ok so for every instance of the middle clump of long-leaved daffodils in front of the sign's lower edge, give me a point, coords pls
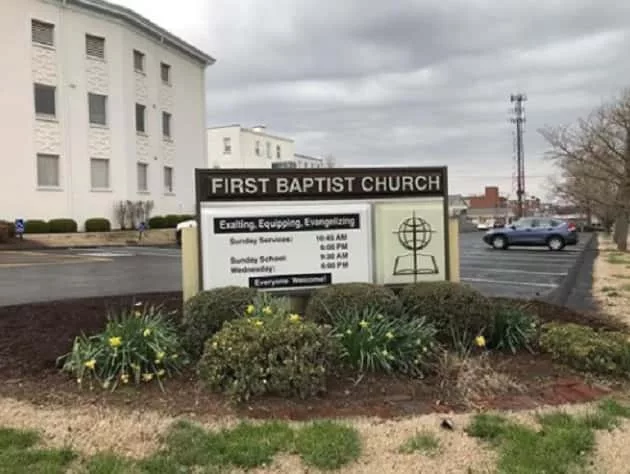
(375, 342)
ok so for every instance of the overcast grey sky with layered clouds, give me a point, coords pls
(411, 82)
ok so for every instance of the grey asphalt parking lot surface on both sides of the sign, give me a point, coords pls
(60, 274)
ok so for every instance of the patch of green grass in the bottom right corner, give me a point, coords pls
(561, 446)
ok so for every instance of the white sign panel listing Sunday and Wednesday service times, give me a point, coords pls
(286, 247)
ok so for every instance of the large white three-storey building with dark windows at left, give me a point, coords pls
(103, 106)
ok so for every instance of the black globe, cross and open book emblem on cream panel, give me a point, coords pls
(414, 234)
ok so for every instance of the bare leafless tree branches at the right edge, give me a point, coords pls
(594, 158)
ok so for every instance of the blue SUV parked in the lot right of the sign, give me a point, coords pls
(533, 232)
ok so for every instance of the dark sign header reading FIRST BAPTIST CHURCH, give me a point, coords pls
(319, 184)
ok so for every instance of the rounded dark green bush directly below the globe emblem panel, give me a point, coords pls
(459, 312)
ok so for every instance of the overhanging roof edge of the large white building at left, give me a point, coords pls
(147, 26)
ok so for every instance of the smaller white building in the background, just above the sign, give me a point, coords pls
(234, 146)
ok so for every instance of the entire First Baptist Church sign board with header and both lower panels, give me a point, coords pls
(298, 229)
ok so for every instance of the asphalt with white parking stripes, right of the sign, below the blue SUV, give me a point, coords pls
(517, 272)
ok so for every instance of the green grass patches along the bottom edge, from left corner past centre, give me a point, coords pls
(189, 448)
